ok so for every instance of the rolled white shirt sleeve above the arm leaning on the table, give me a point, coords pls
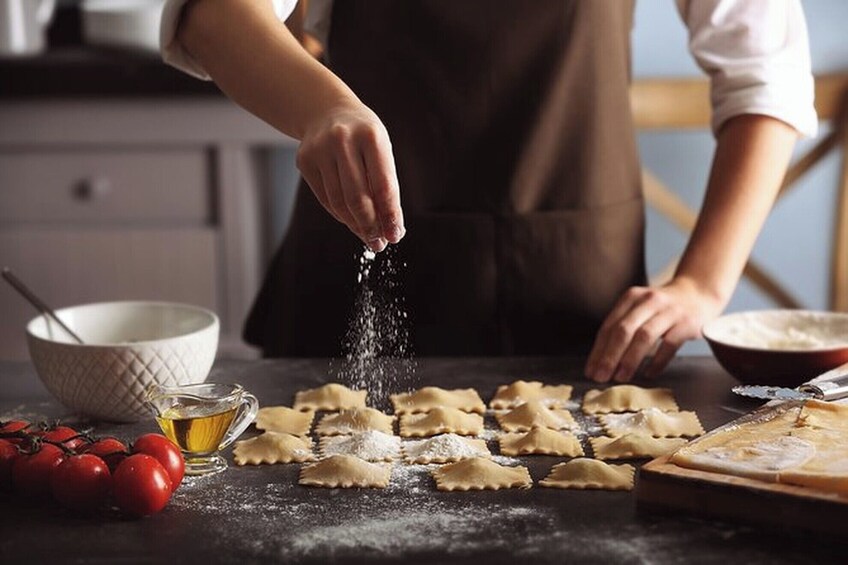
(757, 56)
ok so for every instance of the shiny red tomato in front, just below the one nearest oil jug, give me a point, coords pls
(141, 485)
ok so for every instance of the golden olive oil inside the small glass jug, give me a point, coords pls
(194, 429)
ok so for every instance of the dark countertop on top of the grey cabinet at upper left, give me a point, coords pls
(77, 71)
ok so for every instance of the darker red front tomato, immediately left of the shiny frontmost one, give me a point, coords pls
(81, 482)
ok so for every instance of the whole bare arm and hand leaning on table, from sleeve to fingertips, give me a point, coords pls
(750, 161)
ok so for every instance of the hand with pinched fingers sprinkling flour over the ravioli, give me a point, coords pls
(346, 158)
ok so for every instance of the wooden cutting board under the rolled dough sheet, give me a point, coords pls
(663, 486)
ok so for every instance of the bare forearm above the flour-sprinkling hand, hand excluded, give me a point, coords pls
(257, 62)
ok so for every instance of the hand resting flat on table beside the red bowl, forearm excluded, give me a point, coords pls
(647, 320)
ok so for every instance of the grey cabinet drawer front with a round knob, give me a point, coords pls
(105, 187)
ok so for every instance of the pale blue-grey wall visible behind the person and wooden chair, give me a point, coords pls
(794, 245)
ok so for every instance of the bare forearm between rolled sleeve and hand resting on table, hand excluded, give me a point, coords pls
(751, 157)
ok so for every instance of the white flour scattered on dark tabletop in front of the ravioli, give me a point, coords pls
(409, 518)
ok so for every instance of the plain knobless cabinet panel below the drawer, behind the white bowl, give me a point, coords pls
(67, 267)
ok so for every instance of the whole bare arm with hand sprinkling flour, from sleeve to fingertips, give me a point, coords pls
(345, 153)
